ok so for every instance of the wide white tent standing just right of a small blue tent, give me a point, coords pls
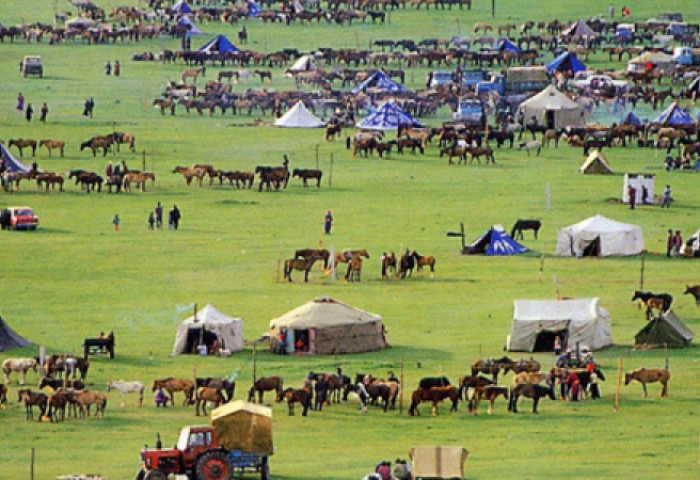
(611, 237)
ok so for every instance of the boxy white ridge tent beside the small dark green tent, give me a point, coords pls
(579, 321)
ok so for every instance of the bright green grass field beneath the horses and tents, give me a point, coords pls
(75, 276)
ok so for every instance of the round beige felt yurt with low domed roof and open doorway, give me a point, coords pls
(326, 326)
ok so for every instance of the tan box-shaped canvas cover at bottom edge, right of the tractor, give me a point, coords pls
(434, 461)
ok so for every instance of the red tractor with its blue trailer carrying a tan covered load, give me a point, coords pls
(212, 452)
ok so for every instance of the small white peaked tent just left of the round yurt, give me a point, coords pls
(207, 325)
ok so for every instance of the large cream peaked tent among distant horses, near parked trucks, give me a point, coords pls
(552, 108)
